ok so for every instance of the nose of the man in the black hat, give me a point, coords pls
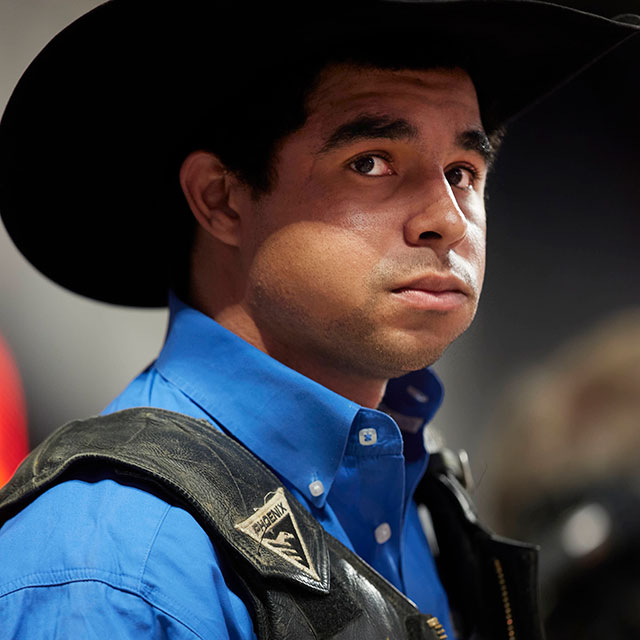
(438, 221)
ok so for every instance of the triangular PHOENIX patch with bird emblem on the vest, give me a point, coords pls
(274, 526)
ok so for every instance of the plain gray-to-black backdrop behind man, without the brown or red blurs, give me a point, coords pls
(564, 212)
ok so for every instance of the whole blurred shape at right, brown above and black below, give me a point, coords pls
(565, 474)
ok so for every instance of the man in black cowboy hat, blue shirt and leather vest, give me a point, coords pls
(334, 170)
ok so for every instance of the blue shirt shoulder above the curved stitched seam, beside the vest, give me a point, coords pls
(107, 533)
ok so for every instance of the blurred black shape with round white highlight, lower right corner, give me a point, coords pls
(591, 561)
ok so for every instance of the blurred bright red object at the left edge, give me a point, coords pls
(14, 444)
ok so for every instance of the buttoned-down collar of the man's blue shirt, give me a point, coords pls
(295, 425)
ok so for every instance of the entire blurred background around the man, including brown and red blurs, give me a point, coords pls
(525, 387)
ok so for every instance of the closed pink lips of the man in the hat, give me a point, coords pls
(434, 292)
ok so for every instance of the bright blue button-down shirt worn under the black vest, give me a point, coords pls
(98, 559)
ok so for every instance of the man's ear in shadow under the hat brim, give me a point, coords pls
(206, 183)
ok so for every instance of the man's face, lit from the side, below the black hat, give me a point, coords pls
(368, 253)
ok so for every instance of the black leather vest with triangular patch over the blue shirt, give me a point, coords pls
(298, 581)
